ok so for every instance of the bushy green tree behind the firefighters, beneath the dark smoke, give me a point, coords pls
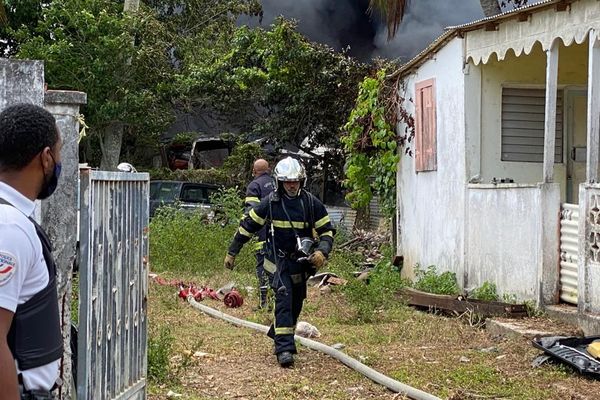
(275, 84)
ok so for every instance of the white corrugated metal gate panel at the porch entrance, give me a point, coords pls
(569, 248)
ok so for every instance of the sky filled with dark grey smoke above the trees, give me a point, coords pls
(342, 23)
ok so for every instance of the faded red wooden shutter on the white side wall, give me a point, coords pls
(425, 129)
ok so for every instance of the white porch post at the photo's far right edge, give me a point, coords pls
(593, 117)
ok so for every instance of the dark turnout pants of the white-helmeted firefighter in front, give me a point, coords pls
(288, 303)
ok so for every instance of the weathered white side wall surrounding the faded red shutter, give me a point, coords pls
(431, 204)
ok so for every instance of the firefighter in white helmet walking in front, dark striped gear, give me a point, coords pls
(299, 239)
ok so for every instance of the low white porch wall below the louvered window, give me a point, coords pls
(513, 239)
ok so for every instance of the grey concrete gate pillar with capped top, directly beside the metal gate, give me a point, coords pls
(59, 212)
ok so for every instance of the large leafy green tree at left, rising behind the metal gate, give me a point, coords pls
(125, 62)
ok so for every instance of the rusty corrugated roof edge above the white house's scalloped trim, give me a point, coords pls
(452, 31)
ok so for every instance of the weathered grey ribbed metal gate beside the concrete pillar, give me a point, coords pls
(113, 287)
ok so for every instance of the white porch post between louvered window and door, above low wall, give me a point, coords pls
(550, 119)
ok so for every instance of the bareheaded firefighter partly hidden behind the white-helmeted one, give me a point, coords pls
(258, 189)
